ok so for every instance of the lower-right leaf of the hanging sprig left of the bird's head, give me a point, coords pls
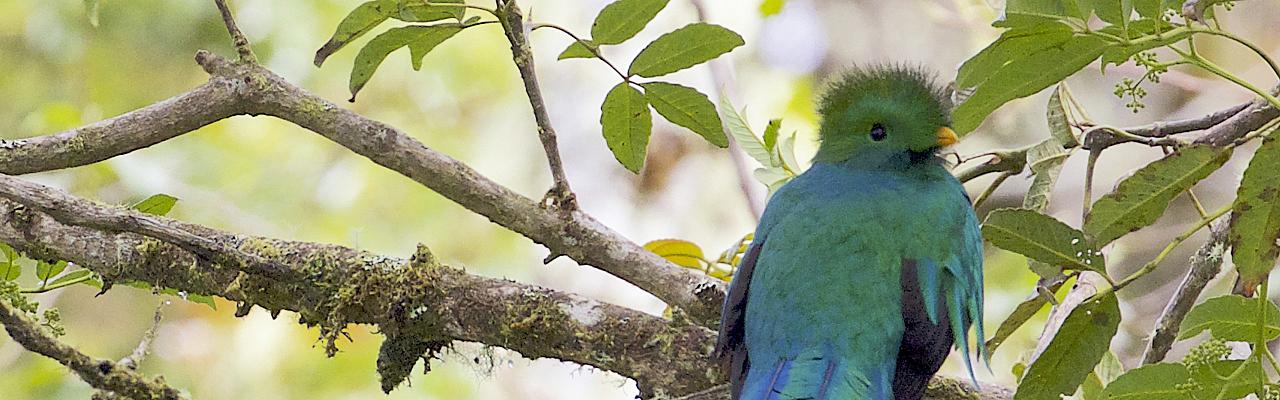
(688, 108)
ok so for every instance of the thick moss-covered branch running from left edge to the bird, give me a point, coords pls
(415, 301)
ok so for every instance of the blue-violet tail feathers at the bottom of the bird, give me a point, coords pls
(820, 378)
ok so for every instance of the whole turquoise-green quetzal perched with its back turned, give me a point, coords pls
(867, 267)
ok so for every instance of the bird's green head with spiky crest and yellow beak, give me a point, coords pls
(883, 112)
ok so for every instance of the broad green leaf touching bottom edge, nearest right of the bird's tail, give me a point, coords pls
(1078, 347)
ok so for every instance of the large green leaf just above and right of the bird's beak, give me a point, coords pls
(1021, 65)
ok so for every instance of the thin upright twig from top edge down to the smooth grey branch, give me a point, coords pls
(513, 24)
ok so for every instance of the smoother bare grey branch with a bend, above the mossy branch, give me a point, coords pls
(237, 89)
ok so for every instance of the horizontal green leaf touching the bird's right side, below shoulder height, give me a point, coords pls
(1044, 239)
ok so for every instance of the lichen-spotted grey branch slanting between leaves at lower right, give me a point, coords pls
(1205, 265)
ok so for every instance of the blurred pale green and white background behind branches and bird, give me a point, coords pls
(260, 176)
